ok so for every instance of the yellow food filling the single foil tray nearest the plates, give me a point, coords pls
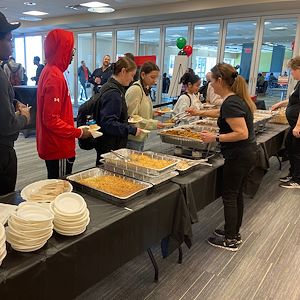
(112, 185)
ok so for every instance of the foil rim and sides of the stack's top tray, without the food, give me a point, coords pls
(111, 159)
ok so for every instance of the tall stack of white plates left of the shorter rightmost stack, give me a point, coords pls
(30, 227)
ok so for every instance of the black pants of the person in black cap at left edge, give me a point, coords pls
(8, 169)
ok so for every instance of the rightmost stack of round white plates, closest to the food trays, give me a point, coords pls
(71, 215)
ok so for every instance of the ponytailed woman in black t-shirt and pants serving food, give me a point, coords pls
(238, 146)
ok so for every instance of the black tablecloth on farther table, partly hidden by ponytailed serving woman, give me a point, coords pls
(203, 186)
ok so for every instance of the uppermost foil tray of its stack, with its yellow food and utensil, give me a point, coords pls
(129, 163)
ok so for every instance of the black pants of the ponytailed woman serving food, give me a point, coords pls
(235, 172)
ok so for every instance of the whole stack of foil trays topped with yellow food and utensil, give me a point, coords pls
(149, 167)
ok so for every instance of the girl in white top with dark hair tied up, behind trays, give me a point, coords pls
(188, 98)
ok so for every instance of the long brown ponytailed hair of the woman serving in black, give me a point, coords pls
(235, 82)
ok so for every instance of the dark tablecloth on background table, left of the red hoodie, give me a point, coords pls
(27, 95)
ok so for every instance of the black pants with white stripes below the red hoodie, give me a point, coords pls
(59, 168)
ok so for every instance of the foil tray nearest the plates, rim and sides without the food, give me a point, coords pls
(95, 172)
